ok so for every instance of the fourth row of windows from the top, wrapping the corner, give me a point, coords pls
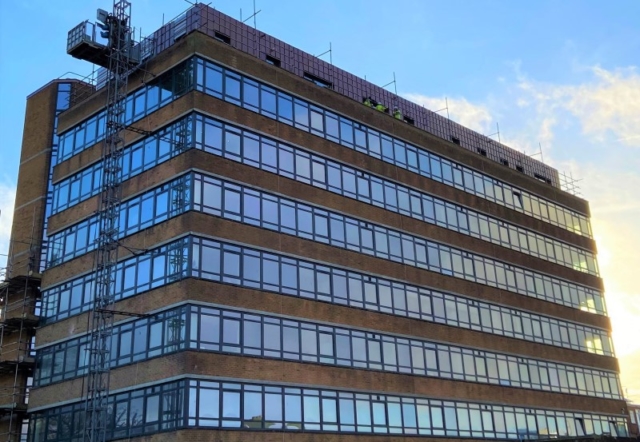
(242, 266)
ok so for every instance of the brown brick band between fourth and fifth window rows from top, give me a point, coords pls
(268, 302)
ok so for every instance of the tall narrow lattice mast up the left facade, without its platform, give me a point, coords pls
(106, 257)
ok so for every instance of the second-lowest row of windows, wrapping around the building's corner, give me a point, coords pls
(212, 329)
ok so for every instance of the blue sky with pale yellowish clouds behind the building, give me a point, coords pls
(561, 78)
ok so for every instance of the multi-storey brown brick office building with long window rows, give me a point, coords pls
(295, 261)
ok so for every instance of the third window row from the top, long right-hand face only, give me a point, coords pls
(297, 219)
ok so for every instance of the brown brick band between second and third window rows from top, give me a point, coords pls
(269, 182)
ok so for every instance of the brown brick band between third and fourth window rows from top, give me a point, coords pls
(306, 249)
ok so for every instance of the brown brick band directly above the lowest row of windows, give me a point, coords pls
(274, 371)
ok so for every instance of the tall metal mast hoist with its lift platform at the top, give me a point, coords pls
(114, 50)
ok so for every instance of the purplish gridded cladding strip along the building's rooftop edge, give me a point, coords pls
(255, 42)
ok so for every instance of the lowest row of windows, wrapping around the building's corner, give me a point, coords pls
(316, 410)
